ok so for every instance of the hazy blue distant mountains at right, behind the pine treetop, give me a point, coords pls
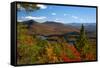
(90, 28)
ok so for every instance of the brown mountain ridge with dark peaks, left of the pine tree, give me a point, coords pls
(50, 27)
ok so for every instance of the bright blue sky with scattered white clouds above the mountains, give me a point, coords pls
(57, 13)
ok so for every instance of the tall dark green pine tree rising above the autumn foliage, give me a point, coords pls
(82, 43)
